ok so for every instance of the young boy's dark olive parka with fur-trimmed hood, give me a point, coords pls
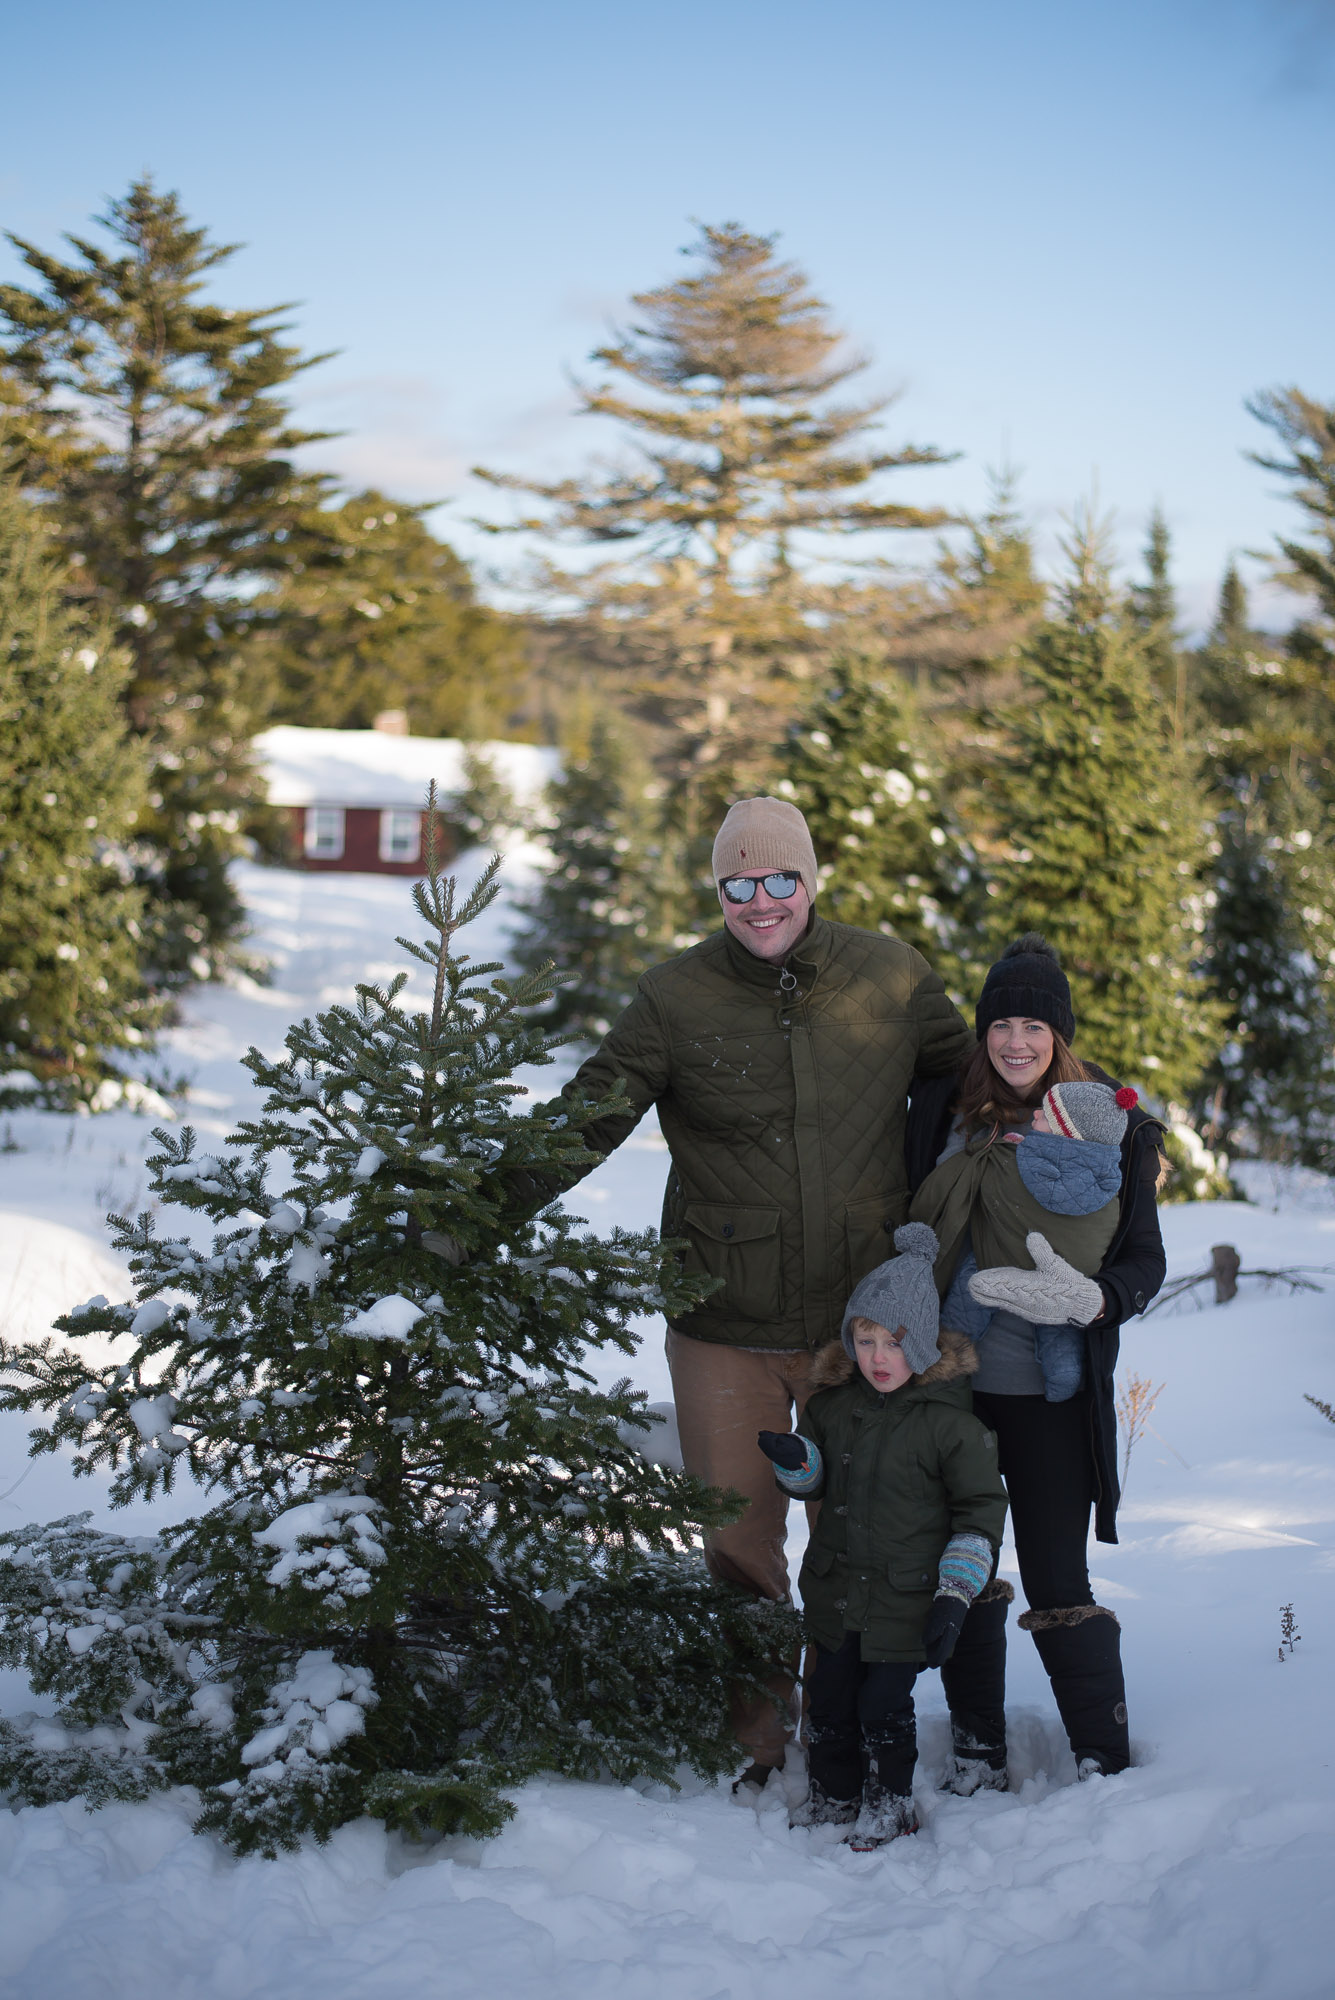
(904, 1471)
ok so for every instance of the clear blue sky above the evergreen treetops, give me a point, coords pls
(1070, 235)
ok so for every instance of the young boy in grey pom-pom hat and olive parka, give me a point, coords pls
(908, 1533)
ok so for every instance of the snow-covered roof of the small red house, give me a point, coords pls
(375, 769)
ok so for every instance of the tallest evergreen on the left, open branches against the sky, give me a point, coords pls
(153, 425)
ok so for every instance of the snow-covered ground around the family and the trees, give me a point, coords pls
(1204, 1871)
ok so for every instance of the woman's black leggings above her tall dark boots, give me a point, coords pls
(1046, 1457)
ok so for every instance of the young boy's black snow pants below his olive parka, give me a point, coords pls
(862, 1735)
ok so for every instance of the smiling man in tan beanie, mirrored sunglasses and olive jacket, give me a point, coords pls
(778, 1055)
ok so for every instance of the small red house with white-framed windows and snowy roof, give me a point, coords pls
(355, 797)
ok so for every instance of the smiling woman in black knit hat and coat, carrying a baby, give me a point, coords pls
(1058, 1459)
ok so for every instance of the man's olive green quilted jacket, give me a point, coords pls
(782, 1095)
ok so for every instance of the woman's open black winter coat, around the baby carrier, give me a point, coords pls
(1130, 1275)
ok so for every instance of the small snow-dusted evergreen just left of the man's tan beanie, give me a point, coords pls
(603, 911)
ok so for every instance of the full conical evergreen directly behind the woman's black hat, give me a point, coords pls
(1106, 835)
